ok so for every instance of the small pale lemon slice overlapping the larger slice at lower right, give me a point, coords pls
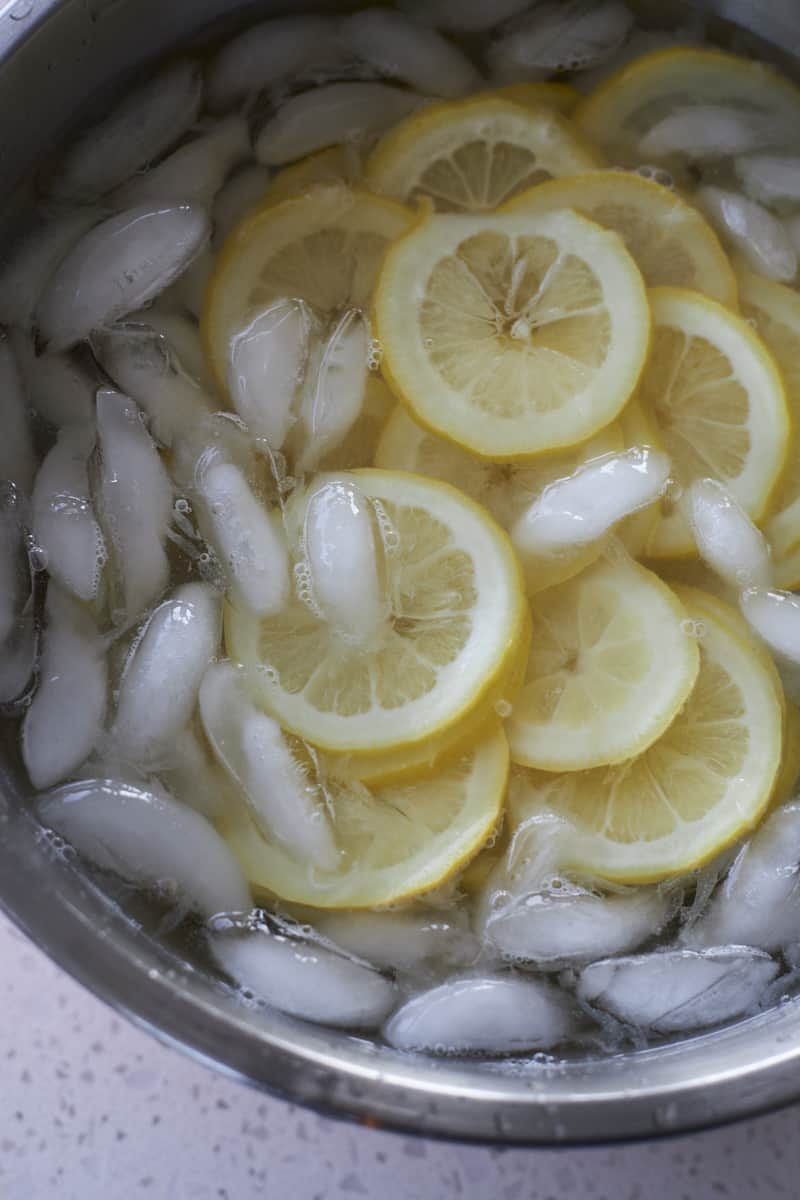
(609, 670)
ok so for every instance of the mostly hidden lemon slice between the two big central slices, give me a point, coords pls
(506, 489)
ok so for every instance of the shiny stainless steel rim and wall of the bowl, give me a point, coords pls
(58, 58)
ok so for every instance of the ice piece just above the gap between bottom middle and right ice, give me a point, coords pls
(562, 923)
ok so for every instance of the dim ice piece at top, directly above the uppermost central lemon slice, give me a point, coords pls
(404, 50)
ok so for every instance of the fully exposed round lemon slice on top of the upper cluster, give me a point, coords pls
(512, 334)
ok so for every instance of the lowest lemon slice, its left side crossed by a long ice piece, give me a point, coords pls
(395, 842)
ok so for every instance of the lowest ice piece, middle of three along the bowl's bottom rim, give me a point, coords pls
(490, 1016)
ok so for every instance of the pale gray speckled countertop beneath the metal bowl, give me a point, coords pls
(92, 1108)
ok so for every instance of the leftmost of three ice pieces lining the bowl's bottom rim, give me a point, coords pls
(305, 980)
